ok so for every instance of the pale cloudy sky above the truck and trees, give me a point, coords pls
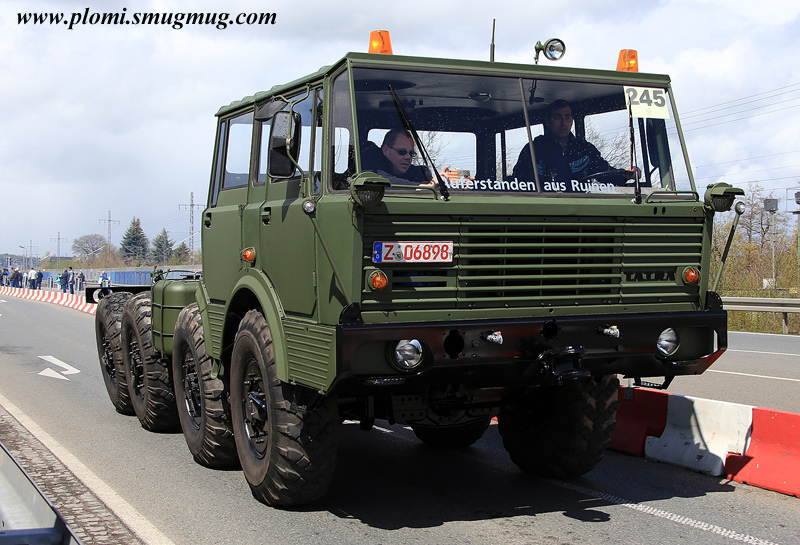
(118, 120)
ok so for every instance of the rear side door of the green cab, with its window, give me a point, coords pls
(222, 219)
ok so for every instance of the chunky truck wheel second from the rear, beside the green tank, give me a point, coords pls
(146, 371)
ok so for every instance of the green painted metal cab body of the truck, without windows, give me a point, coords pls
(522, 260)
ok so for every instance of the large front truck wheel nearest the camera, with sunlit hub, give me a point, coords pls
(285, 440)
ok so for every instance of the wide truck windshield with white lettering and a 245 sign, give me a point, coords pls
(481, 133)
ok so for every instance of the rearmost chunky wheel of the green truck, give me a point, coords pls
(108, 332)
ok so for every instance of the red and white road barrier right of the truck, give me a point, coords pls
(752, 445)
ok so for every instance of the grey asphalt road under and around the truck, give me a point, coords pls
(388, 488)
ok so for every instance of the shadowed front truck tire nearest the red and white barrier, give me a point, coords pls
(561, 432)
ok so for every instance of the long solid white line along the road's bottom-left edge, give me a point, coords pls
(142, 527)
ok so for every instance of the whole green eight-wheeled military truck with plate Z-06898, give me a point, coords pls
(335, 290)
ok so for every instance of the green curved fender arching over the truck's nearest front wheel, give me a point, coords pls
(253, 289)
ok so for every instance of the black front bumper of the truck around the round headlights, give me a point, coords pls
(608, 344)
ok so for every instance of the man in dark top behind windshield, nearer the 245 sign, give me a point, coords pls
(561, 156)
